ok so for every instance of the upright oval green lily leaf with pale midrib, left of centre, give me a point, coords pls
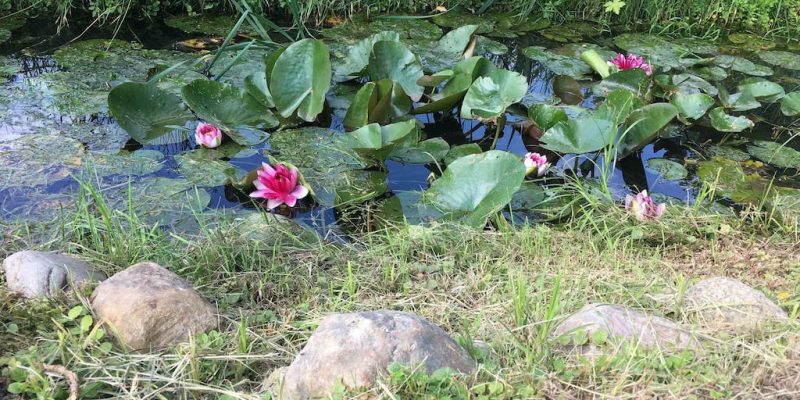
(300, 79)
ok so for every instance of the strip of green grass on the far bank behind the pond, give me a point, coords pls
(778, 17)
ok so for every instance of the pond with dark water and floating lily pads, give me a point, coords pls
(736, 126)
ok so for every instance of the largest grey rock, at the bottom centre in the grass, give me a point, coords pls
(357, 348)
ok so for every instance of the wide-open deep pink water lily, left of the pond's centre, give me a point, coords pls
(278, 185)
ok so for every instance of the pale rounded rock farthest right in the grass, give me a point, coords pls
(728, 305)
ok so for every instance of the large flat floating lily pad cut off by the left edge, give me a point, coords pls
(33, 160)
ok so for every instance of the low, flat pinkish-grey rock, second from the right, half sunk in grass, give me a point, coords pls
(621, 324)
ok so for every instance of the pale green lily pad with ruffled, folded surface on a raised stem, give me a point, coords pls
(489, 96)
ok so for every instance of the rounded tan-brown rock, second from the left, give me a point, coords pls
(148, 306)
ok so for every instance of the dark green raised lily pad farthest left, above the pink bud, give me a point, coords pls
(145, 111)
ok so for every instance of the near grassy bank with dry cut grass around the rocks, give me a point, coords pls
(498, 292)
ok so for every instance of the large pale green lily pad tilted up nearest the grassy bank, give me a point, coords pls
(475, 187)
